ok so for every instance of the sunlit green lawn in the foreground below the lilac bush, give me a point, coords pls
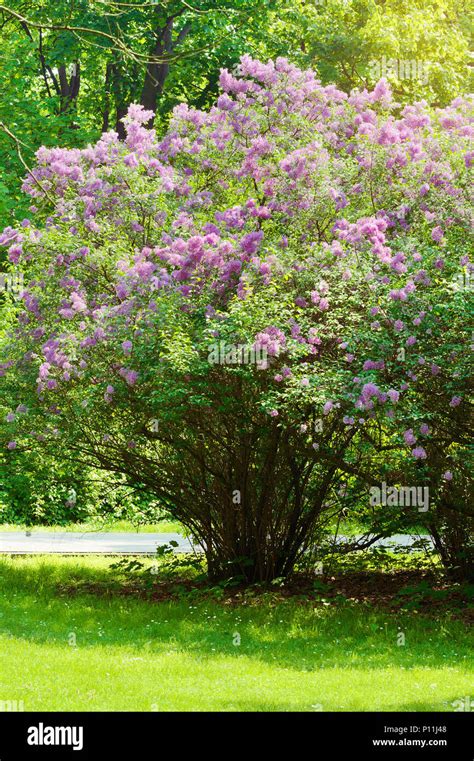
(139, 654)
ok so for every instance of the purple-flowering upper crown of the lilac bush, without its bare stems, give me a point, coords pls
(338, 205)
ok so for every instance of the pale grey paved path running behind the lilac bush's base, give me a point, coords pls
(70, 543)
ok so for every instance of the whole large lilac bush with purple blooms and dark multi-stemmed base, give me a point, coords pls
(266, 303)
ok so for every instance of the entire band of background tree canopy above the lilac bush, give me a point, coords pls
(69, 70)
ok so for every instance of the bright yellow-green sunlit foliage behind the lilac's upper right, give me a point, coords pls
(422, 47)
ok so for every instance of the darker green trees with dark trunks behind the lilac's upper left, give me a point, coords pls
(70, 70)
